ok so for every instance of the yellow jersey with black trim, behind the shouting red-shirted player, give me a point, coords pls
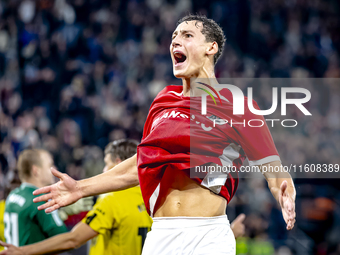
(122, 222)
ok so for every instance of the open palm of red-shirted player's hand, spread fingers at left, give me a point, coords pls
(62, 193)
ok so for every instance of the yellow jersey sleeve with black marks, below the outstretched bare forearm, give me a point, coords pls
(101, 217)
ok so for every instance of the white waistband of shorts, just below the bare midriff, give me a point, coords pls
(188, 222)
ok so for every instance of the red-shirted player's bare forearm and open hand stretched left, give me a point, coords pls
(68, 191)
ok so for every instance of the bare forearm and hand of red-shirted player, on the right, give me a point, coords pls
(282, 187)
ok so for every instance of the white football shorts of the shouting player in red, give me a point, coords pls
(190, 236)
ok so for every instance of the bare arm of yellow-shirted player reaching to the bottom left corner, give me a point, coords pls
(80, 234)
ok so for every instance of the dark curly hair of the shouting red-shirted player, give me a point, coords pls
(211, 30)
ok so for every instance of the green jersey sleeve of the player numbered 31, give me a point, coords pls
(50, 223)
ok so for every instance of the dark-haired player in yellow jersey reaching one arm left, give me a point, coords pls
(119, 219)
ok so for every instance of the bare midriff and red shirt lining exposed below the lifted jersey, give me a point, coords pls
(181, 196)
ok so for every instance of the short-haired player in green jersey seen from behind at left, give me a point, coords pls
(24, 223)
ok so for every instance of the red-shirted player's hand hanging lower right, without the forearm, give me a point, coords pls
(287, 204)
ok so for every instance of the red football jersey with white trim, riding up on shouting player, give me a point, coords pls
(177, 136)
